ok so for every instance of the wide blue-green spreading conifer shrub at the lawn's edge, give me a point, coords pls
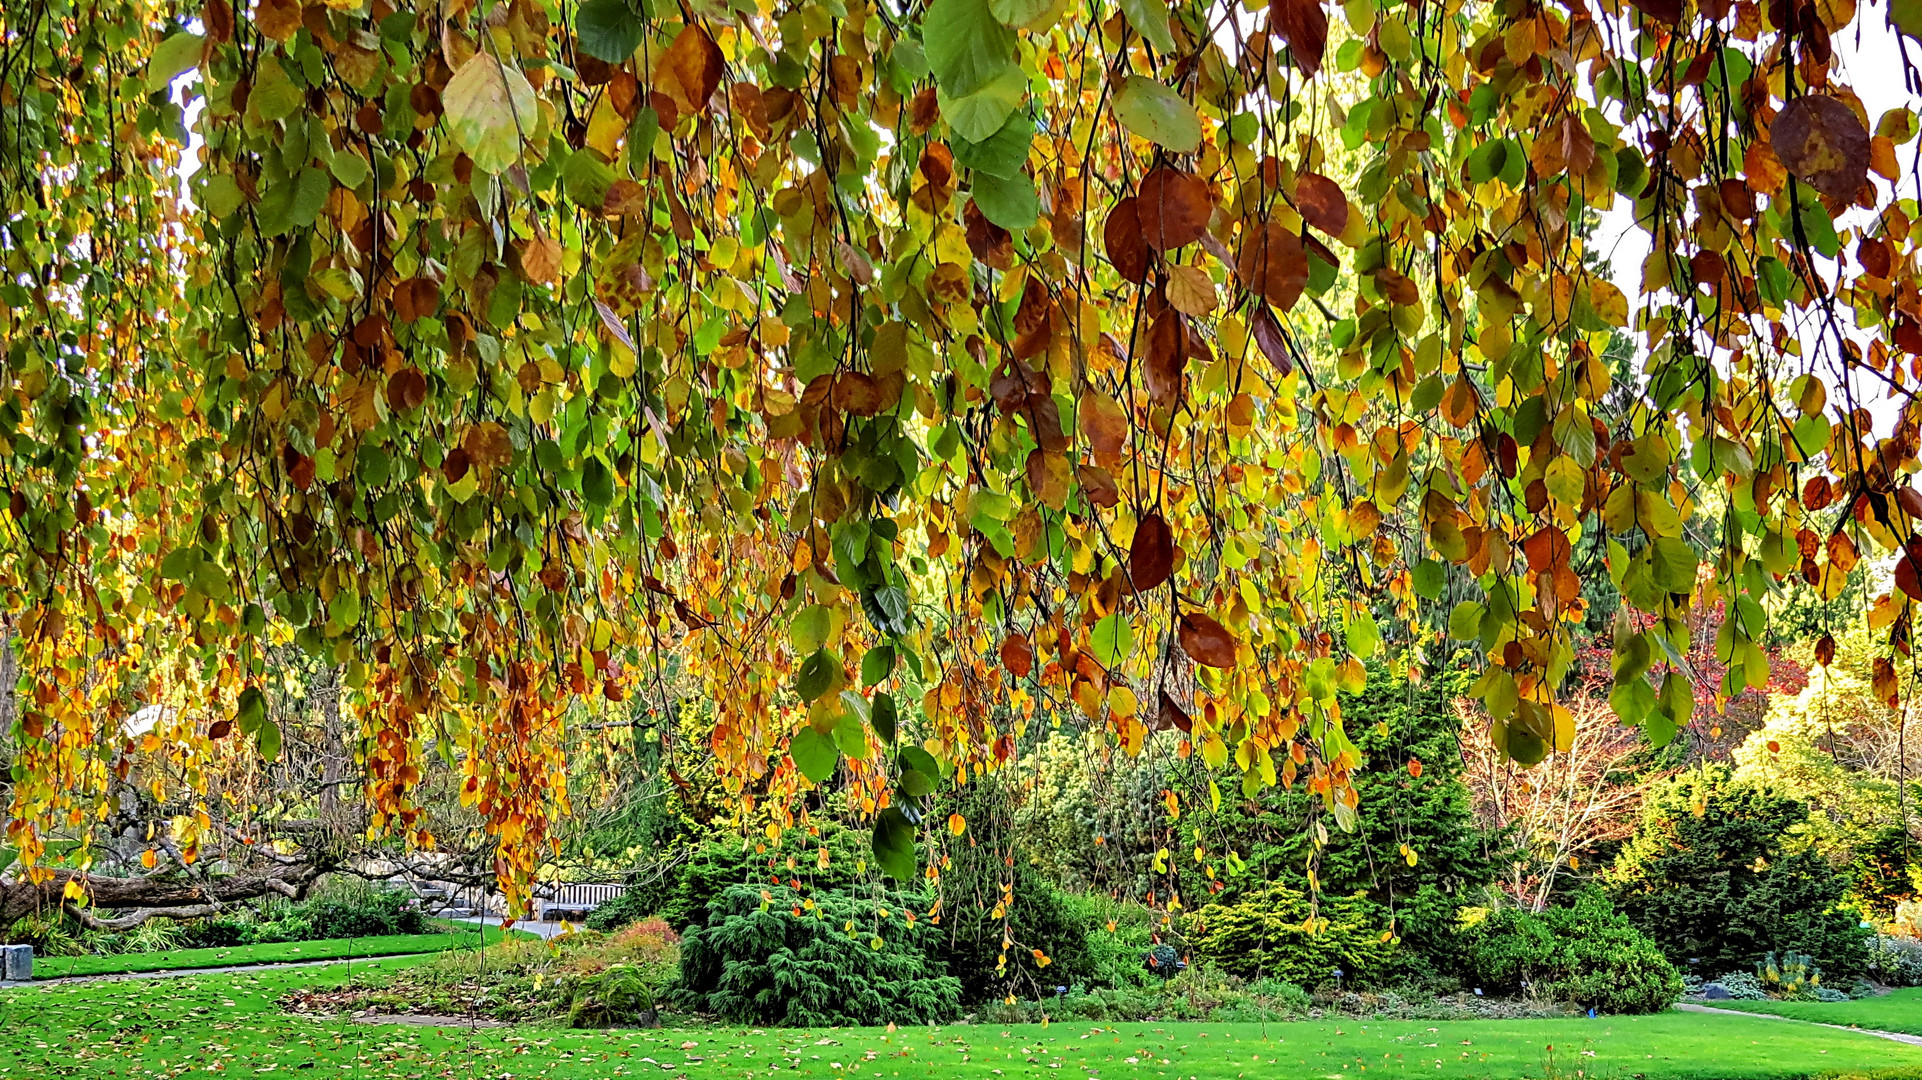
(768, 960)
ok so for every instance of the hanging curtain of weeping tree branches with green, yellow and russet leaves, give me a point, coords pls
(904, 374)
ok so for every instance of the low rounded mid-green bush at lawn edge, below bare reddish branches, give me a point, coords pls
(1585, 954)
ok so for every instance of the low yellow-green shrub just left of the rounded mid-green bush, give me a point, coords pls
(1268, 935)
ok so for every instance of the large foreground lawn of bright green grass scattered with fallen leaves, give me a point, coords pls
(226, 1025)
